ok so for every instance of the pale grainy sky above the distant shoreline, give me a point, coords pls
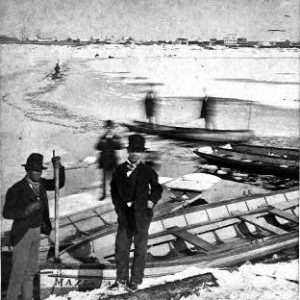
(151, 19)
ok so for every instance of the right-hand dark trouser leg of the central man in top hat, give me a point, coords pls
(140, 252)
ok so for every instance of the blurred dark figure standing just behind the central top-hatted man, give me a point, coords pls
(107, 160)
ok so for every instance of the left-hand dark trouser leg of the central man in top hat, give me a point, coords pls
(123, 243)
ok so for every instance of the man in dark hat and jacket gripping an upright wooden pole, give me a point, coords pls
(27, 205)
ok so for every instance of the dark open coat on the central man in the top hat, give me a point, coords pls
(147, 188)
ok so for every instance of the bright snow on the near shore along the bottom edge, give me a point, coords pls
(278, 281)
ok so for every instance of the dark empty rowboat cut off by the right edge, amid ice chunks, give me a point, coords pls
(250, 162)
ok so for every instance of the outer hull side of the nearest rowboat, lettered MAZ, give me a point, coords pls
(61, 281)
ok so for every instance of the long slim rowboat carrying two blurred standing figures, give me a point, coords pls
(191, 133)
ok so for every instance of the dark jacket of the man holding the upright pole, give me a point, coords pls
(19, 196)
